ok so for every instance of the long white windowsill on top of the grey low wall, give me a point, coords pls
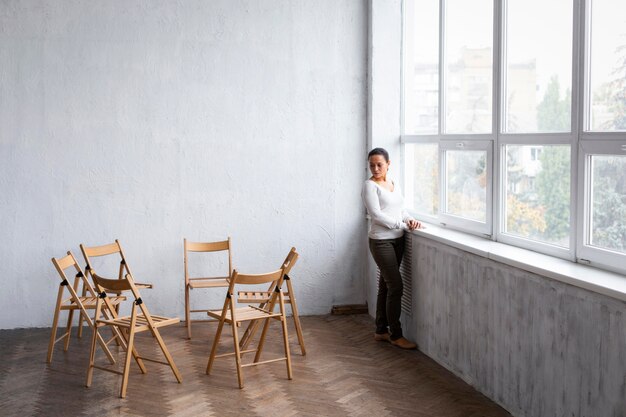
(592, 279)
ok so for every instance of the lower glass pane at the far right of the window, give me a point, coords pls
(608, 202)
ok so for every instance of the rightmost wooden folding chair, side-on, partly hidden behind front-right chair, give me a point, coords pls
(263, 298)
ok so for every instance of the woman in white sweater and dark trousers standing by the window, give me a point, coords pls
(385, 205)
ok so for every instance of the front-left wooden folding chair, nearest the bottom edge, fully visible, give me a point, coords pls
(130, 326)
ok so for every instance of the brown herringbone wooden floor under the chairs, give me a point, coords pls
(345, 373)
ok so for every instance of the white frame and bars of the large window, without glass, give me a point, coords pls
(582, 141)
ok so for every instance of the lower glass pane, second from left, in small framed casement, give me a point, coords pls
(466, 184)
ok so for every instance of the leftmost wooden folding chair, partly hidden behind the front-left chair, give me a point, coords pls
(84, 302)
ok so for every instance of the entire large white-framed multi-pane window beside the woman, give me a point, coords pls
(523, 81)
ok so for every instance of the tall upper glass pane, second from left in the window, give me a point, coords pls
(469, 57)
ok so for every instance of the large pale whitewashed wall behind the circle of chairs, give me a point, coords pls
(150, 121)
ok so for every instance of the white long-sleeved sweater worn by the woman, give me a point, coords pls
(386, 209)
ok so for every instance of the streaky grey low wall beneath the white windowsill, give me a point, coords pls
(536, 346)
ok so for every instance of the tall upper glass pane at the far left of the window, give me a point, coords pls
(421, 67)
